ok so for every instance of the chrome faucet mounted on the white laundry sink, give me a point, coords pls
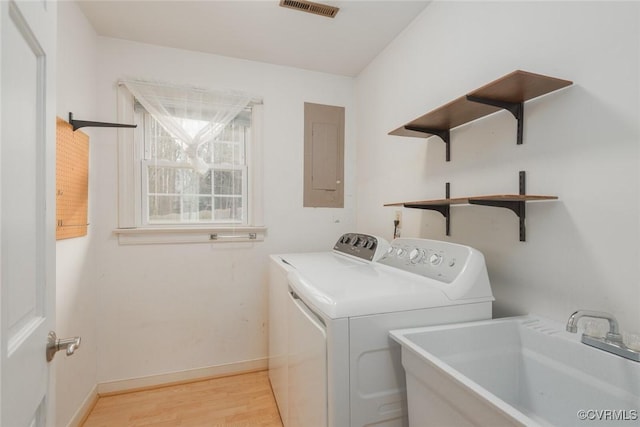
(612, 342)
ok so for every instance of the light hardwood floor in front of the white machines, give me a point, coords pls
(242, 400)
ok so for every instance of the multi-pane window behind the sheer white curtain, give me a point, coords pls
(173, 192)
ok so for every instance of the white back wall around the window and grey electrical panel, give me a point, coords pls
(168, 308)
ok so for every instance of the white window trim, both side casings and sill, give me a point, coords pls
(132, 229)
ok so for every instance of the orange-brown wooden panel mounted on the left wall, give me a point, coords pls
(72, 181)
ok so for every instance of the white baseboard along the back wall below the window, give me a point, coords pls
(120, 386)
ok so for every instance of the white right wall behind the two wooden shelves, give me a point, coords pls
(581, 144)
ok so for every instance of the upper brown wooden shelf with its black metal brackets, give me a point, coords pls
(508, 92)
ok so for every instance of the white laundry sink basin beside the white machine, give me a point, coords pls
(514, 372)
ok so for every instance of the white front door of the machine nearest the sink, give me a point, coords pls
(307, 374)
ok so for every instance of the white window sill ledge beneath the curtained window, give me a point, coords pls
(189, 234)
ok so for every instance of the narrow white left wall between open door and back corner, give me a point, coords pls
(76, 285)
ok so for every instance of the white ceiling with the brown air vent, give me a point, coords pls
(260, 30)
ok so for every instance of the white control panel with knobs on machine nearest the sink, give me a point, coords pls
(442, 261)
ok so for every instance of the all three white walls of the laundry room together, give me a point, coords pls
(168, 308)
